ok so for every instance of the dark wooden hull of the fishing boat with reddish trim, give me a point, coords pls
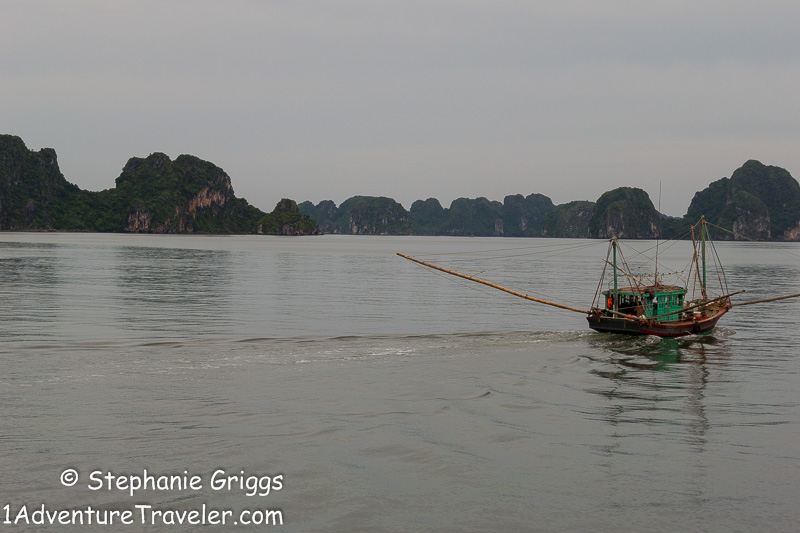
(673, 328)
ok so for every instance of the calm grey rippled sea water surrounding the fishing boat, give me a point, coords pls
(370, 394)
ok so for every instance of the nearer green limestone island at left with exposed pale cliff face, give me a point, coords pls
(152, 195)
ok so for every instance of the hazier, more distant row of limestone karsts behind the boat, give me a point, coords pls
(757, 202)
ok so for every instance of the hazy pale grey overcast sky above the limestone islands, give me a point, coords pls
(411, 99)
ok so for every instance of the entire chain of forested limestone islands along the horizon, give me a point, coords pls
(189, 195)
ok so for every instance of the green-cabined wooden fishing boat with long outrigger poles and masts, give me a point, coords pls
(631, 304)
